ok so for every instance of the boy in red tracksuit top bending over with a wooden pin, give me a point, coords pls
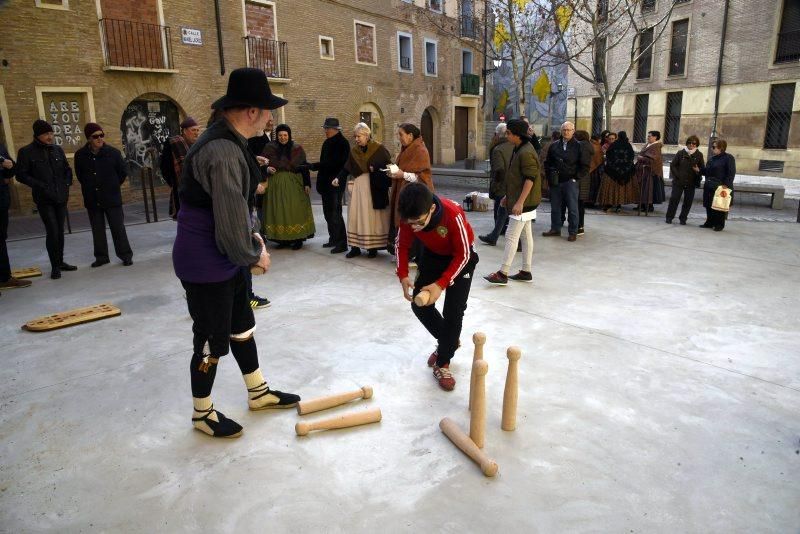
(447, 263)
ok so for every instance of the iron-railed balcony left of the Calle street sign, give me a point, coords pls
(131, 45)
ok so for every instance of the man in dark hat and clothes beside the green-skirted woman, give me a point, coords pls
(334, 154)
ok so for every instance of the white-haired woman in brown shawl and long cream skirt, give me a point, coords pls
(368, 212)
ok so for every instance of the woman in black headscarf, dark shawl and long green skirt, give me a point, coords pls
(288, 219)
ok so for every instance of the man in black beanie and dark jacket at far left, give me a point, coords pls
(43, 167)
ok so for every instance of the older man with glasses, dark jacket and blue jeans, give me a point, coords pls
(566, 163)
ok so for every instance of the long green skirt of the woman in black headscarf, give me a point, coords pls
(287, 208)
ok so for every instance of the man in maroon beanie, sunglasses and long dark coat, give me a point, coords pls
(101, 170)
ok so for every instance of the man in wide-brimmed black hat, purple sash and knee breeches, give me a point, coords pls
(216, 237)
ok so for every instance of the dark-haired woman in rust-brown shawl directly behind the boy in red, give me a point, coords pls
(414, 165)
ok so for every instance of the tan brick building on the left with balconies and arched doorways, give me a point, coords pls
(139, 66)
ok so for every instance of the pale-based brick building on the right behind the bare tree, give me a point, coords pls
(676, 89)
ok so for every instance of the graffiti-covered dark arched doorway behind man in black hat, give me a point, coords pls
(146, 124)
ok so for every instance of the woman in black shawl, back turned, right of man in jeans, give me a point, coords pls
(617, 186)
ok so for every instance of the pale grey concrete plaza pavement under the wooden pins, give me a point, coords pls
(659, 392)
